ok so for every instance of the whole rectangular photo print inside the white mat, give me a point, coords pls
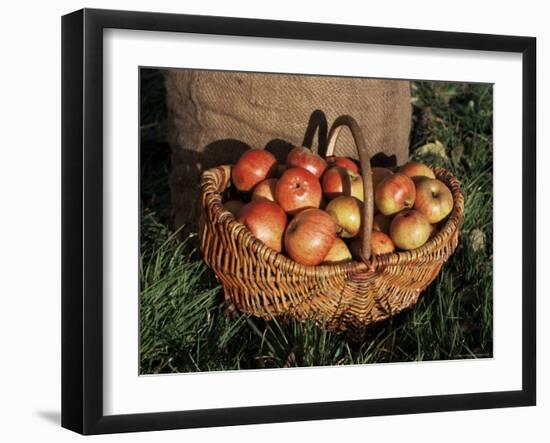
(291, 220)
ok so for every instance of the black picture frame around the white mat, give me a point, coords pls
(82, 217)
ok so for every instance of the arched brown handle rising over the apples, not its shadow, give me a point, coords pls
(366, 171)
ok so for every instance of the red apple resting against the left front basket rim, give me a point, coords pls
(266, 221)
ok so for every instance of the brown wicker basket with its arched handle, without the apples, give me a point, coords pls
(261, 282)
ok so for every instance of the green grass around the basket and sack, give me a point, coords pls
(182, 321)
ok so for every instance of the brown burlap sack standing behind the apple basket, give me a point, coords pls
(215, 116)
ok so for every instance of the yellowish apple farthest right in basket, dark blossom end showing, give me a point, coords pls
(433, 199)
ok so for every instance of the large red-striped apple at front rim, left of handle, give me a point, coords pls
(309, 236)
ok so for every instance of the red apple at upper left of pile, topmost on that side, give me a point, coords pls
(254, 166)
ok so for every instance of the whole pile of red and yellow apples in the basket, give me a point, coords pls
(310, 208)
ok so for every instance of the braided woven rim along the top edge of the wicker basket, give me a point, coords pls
(443, 236)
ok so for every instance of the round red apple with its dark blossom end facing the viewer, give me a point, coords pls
(298, 189)
